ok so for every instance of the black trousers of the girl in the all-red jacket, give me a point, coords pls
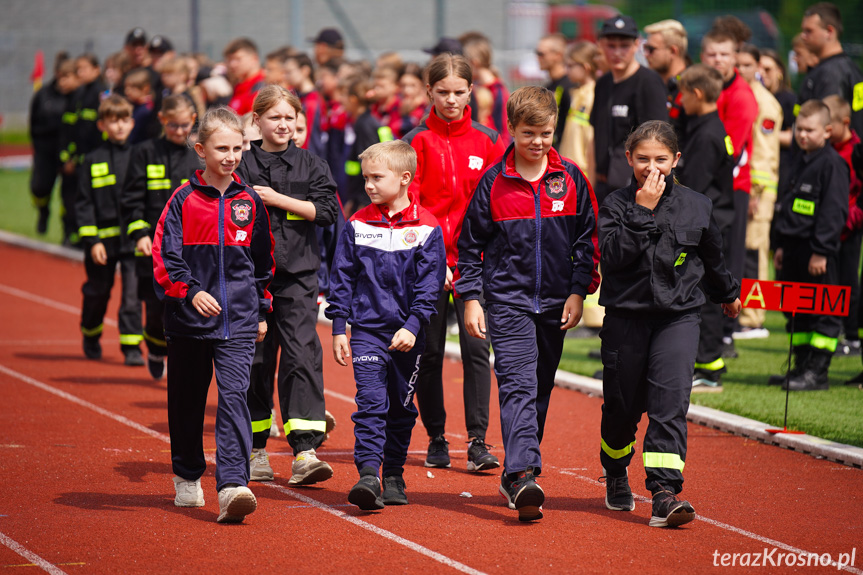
(477, 374)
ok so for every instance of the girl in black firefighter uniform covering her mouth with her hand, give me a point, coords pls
(657, 240)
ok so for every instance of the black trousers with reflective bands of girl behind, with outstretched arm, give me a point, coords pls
(291, 327)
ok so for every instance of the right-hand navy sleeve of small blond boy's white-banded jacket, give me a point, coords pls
(431, 274)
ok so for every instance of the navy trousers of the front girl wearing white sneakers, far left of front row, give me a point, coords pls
(190, 369)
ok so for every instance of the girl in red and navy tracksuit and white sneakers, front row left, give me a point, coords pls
(213, 261)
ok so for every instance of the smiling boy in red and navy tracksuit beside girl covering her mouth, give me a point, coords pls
(528, 243)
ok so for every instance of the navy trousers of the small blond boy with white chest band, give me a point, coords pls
(386, 414)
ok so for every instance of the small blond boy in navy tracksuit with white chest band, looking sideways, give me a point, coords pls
(389, 270)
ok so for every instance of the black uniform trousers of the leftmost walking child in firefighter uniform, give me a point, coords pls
(97, 293)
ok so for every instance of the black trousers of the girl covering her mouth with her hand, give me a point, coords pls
(647, 367)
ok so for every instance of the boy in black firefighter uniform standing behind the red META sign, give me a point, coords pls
(807, 227)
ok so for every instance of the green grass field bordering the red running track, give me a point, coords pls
(834, 414)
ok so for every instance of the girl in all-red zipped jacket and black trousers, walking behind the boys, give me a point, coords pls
(452, 154)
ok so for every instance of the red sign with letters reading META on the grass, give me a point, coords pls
(795, 297)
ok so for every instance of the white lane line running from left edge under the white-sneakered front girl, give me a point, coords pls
(389, 535)
